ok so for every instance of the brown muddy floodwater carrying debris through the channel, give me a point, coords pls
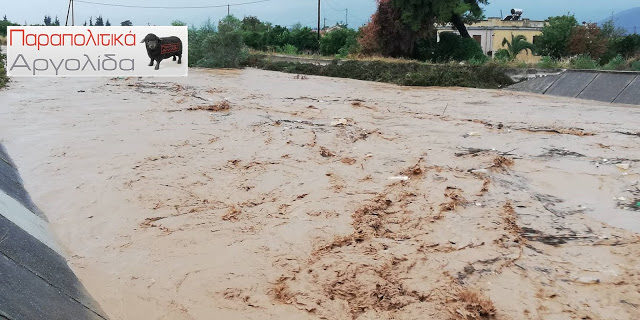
(248, 194)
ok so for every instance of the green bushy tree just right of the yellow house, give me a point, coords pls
(555, 36)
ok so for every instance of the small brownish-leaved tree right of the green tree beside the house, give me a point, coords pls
(587, 39)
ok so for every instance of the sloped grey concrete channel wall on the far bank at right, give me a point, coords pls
(607, 86)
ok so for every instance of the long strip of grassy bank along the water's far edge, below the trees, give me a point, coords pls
(490, 76)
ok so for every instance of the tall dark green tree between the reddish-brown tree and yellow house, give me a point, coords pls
(421, 14)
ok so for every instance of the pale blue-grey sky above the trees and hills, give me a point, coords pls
(284, 12)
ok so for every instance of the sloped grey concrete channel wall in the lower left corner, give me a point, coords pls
(35, 280)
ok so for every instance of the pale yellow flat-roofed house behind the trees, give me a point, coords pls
(490, 33)
